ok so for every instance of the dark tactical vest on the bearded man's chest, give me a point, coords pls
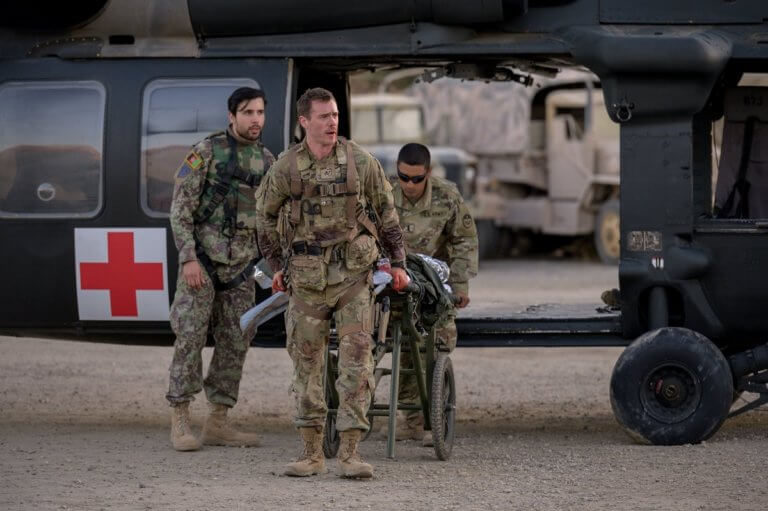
(228, 197)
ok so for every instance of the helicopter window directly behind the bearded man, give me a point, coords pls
(177, 113)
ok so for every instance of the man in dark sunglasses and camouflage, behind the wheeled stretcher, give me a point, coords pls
(436, 222)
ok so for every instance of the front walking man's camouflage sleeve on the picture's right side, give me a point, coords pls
(378, 191)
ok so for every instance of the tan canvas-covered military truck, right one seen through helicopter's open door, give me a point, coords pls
(547, 158)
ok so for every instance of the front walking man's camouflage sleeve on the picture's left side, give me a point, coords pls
(273, 194)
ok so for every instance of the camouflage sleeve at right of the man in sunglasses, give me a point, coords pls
(462, 247)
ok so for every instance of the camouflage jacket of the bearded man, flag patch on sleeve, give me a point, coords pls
(230, 245)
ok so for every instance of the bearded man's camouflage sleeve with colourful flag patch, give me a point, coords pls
(186, 199)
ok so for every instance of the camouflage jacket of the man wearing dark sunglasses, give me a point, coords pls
(440, 225)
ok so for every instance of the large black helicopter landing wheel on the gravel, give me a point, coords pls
(671, 386)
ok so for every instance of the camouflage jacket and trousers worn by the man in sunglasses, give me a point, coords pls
(440, 225)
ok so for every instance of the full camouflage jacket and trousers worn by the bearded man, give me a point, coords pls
(230, 249)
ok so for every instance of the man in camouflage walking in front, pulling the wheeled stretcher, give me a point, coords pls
(329, 190)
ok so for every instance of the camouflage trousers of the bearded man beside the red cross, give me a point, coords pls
(192, 311)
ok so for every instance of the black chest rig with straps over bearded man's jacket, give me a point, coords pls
(222, 186)
